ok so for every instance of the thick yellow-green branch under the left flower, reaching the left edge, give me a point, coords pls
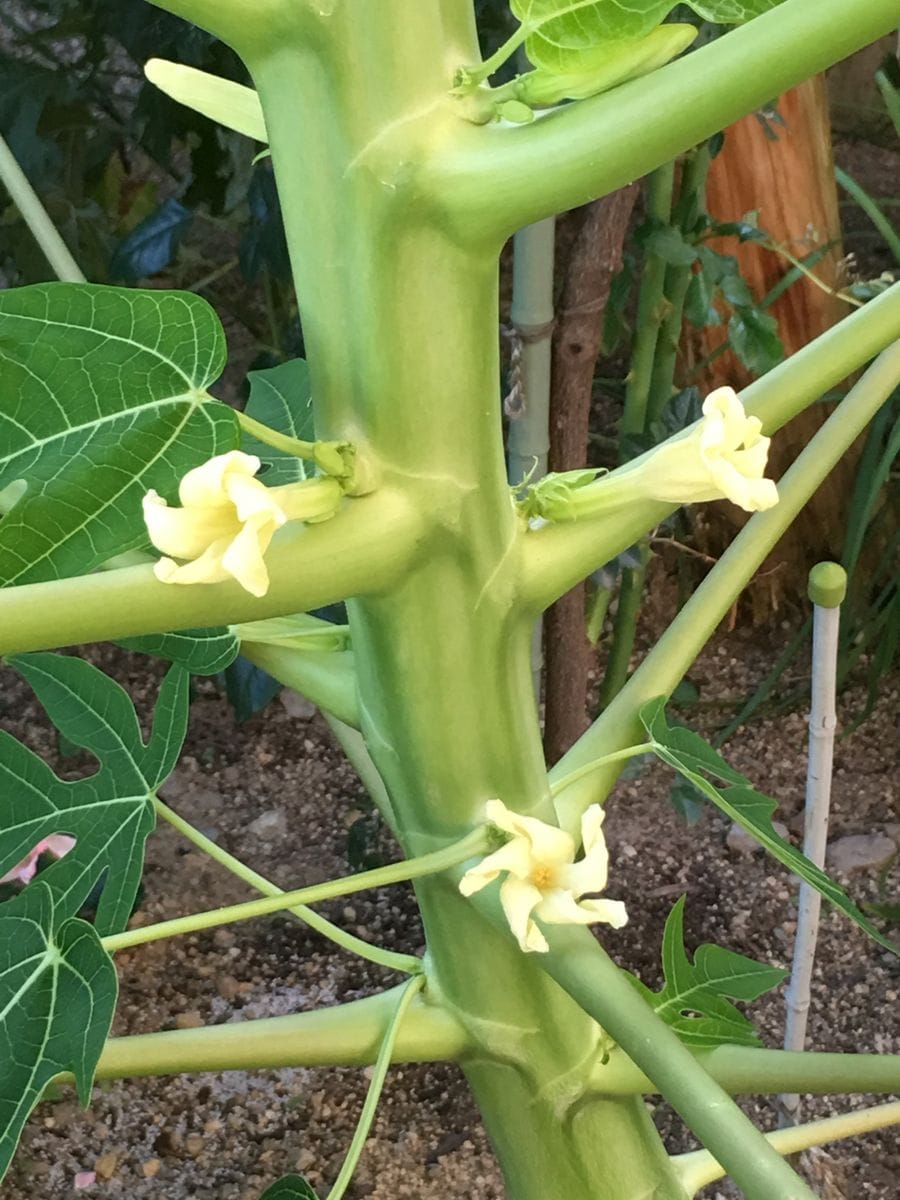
(365, 548)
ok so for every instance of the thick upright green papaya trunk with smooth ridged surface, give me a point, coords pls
(400, 323)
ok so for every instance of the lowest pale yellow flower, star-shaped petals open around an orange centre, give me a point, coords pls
(543, 879)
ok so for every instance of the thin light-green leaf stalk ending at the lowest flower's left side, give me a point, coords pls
(476, 843)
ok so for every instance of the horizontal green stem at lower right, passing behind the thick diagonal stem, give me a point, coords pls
(746, 1071)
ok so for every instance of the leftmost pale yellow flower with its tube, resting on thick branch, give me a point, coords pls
(227, 521)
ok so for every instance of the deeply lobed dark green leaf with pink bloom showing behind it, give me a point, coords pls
(111, 813)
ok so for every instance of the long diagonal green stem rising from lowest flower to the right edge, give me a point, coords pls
(682, 643)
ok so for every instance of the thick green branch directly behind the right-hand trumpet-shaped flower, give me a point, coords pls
(559, 556)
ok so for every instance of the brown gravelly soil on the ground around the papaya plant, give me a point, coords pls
(229, 1136)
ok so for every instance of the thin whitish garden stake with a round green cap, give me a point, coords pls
(827, 589)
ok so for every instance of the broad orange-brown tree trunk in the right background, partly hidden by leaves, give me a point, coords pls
(791, 183)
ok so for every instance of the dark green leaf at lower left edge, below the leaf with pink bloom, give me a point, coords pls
(58, 993)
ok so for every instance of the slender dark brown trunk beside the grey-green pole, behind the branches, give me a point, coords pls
(595, 260)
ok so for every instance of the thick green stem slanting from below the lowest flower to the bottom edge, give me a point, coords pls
(584, 969)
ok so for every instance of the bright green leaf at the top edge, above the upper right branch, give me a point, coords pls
(559, 33)
